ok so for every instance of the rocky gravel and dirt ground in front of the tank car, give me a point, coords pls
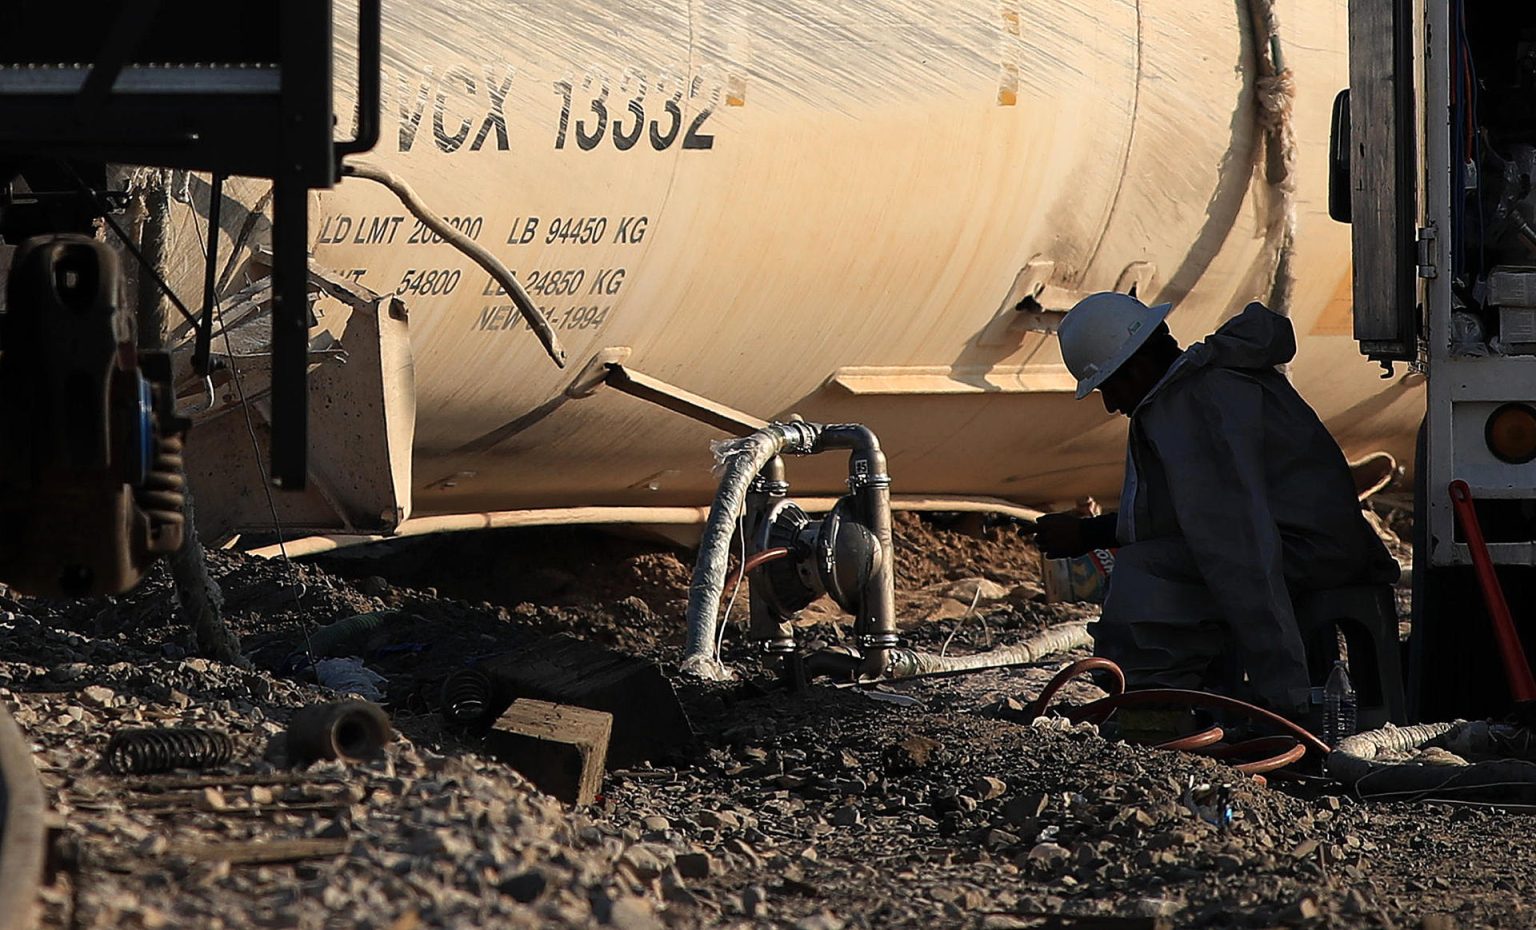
(927, 805)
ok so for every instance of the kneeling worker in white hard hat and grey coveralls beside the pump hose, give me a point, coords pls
(1236, 502)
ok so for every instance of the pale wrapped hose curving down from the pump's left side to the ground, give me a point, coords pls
(740, 460)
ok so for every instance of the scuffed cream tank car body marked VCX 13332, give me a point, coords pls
(830, 210)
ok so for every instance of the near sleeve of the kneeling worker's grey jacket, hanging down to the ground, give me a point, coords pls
(1210, 436)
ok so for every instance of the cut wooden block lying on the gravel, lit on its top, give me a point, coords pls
(560, 748)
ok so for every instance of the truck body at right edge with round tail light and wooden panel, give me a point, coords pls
(1435, 167)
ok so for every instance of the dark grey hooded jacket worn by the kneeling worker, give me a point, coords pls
(1230, 459)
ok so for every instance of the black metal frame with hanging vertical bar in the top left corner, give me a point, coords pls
(171, 85)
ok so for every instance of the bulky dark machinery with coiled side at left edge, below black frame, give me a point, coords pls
(91, 483)
